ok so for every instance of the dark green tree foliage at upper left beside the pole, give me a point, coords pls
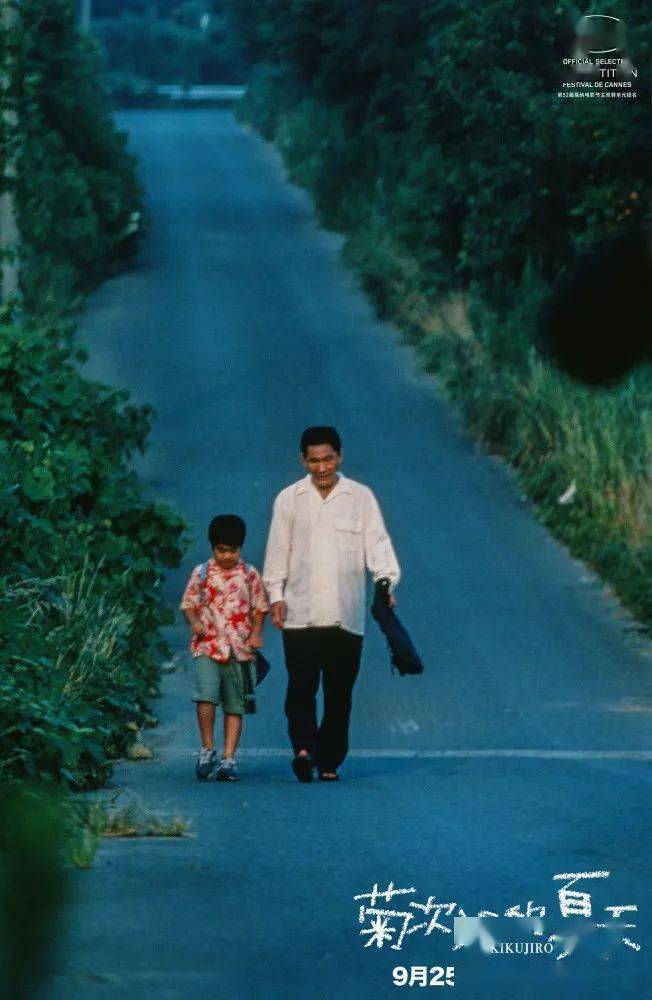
(79, 197)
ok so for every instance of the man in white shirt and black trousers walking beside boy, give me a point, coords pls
(326, 529)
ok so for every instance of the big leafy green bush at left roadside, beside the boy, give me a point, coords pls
(86, 550)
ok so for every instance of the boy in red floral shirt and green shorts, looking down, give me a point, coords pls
(225, 605)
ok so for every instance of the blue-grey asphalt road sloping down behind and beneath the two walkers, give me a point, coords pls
(524, 751)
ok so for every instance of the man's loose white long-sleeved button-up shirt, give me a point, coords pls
(318, 550)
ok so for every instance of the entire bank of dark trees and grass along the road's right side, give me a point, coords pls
(433, 135)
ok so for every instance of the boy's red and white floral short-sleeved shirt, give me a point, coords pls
(229, 598)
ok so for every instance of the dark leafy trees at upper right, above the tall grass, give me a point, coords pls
(439, 109)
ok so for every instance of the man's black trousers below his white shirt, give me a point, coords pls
(333, 654)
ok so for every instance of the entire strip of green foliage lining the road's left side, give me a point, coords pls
(82, 549)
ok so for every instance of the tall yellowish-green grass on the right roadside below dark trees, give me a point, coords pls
(584, 456)
